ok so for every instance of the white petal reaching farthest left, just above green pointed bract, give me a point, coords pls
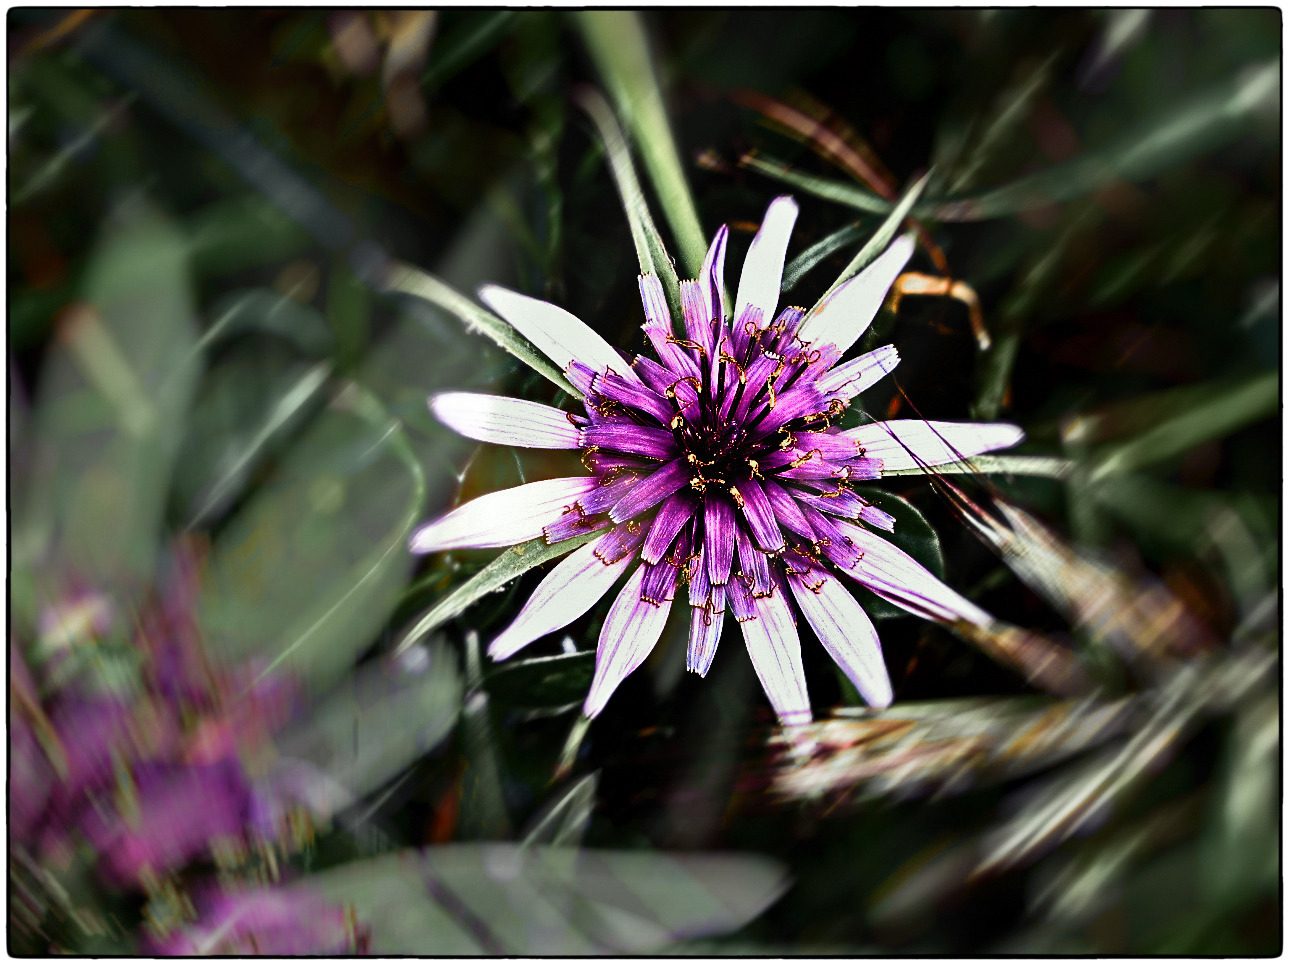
(502, 519)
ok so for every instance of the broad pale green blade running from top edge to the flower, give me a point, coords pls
(619, 46)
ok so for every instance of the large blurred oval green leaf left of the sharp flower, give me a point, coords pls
(311, 569)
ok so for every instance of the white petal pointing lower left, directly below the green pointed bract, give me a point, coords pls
(569, 591)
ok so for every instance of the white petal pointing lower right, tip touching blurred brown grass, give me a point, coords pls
(896, 577)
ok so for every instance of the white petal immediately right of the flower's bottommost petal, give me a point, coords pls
(848, 635)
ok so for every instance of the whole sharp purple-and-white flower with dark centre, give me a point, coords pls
(719, 468)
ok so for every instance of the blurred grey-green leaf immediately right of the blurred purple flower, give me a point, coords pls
(369, 730)
